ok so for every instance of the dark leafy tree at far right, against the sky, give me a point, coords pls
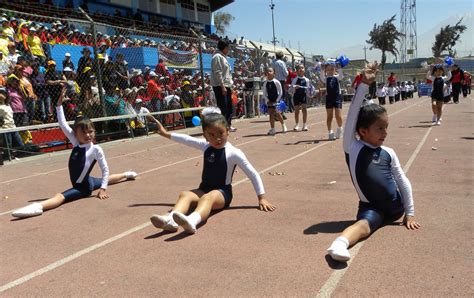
(446, 39)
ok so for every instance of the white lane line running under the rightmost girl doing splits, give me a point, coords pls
(331, 283)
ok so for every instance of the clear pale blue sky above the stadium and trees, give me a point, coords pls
(330, 26)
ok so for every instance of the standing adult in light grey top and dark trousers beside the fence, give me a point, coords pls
(221, 81)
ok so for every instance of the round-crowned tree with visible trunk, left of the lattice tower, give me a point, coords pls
(384, 37)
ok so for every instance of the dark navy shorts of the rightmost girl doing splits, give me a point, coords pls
(378, 217)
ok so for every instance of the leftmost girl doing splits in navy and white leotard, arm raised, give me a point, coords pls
(83, 157)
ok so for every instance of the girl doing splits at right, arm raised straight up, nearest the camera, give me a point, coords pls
(384, 190)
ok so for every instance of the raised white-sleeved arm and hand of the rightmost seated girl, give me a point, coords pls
(368, 76)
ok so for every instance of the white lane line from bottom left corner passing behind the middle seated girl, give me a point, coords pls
(89, 249)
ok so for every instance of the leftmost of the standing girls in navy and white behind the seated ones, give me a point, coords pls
(272, 93)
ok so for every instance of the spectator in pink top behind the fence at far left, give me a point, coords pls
(15, 94)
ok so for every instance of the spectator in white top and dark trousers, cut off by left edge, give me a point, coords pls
(13, 139)
